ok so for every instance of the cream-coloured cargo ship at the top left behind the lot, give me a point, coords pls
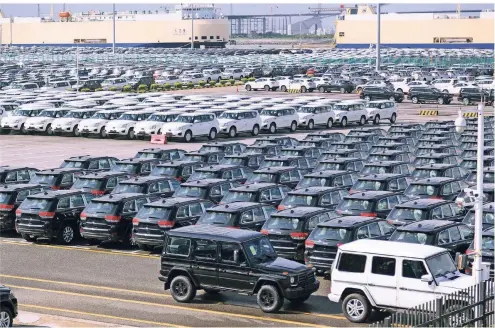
(167, 28)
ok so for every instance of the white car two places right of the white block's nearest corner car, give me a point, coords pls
(276, 118)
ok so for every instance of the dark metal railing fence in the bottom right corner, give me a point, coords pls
(467, 307)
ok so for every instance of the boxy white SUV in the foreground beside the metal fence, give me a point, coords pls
(382, 275)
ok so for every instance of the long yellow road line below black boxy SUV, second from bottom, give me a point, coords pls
(176, 307)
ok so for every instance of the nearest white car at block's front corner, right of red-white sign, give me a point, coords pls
(190, 125)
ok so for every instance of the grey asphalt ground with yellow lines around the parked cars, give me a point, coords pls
(112, 284)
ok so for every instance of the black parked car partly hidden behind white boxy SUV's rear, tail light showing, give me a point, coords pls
(323, 242)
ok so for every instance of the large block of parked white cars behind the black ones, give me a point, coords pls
(110, 115)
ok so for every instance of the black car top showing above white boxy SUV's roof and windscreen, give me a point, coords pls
(454, 236)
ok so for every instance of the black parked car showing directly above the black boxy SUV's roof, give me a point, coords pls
(242, 215)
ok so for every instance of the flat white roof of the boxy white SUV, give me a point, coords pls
(382, 247)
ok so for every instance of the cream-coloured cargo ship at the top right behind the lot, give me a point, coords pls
(356, 28)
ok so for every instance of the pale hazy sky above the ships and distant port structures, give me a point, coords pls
(32, 9)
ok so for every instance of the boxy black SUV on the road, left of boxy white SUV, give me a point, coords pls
(223, 259)
